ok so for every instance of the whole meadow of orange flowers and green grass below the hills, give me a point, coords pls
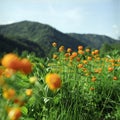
(71, 85)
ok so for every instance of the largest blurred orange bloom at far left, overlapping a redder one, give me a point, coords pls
(11, 61)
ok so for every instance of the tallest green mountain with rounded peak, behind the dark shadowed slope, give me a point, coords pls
(42, 34)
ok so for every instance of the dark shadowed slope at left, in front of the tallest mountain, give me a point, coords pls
(8, 45)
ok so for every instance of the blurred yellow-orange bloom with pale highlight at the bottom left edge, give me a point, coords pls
(14, 113)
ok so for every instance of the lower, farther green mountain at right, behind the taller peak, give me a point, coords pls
(93, 40)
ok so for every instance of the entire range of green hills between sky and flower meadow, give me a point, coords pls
(34, 36)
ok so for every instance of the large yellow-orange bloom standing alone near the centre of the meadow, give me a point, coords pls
(53, 81)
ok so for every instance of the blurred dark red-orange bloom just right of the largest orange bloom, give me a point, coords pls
(25, 66)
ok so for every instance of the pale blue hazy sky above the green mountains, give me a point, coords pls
(69, 16)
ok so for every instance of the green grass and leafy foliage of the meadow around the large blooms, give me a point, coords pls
(79, 98)
